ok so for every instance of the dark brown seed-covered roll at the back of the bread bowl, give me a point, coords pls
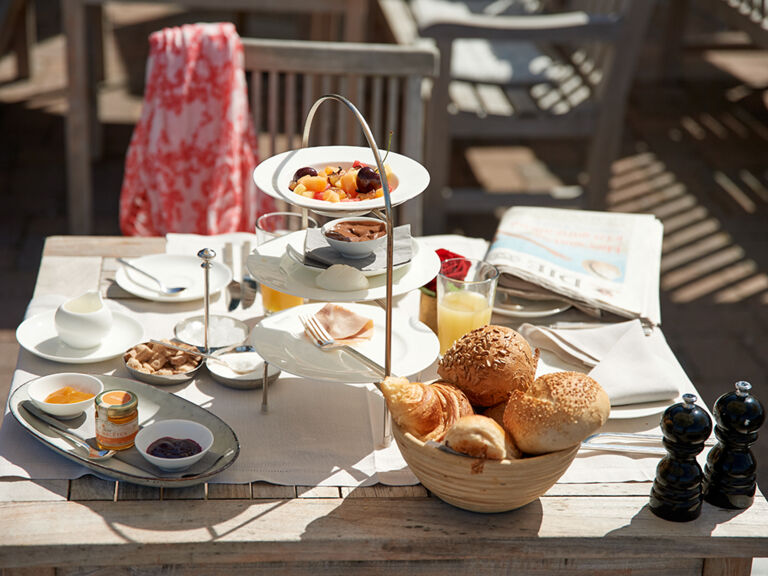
(488, 364)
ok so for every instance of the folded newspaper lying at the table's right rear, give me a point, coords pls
(598, 261)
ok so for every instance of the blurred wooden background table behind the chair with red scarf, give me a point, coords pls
(81, 21)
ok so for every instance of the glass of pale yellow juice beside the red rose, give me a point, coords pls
(466, 288)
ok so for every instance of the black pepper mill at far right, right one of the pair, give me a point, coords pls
(731, 470)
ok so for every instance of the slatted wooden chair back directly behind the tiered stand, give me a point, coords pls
(385, 82)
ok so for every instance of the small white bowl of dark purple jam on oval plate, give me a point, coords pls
(174, 444)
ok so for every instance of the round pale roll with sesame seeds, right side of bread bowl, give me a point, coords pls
(558, 411)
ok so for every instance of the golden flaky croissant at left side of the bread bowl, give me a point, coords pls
(425, 410)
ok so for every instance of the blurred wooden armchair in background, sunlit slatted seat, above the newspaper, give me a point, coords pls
(537, 70)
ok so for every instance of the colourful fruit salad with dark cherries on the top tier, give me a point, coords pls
(337, 184)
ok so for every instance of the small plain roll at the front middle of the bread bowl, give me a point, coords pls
(478, 436)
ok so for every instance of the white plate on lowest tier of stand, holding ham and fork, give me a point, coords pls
(280, 340)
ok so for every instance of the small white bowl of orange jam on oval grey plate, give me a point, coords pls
(65, 395)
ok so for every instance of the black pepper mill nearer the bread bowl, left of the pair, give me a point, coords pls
(677, 490)
